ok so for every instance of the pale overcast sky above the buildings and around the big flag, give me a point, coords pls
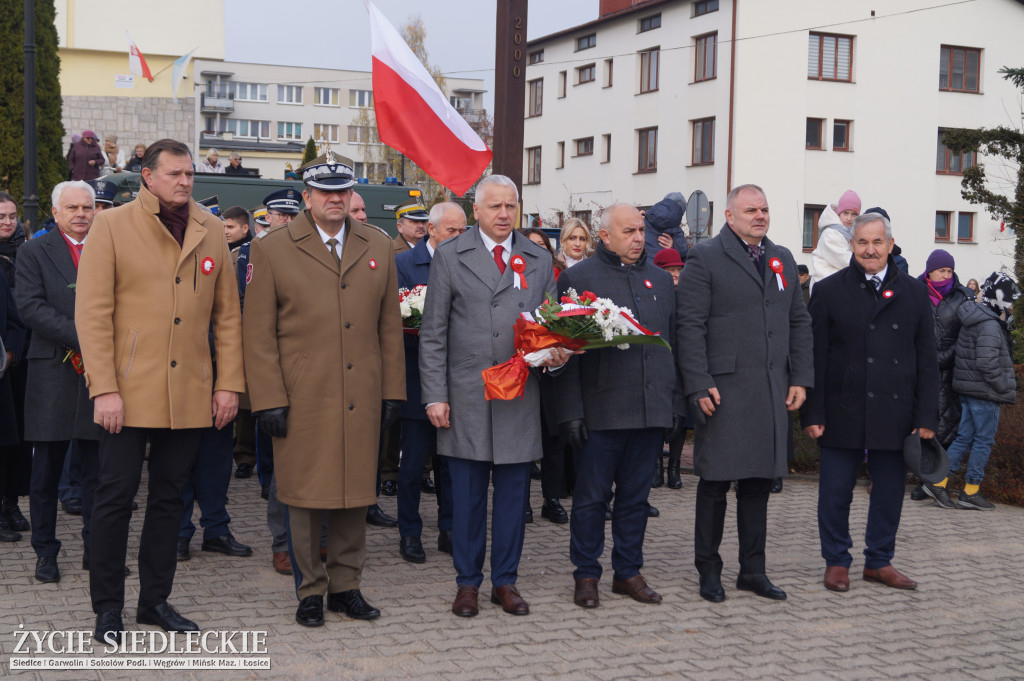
(336, 34)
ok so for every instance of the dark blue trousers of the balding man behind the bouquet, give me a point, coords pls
(624, 458)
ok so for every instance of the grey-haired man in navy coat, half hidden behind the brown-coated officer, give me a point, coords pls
(419, 437)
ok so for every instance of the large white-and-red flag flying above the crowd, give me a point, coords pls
(415, 117)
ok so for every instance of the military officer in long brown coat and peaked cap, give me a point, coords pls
(323, 344)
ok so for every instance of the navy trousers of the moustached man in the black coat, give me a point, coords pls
(837, 479)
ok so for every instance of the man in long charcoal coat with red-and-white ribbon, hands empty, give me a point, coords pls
(747, 361)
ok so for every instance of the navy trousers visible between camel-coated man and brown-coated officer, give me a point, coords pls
(208, 485)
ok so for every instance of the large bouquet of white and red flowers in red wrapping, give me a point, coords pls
(578, 322)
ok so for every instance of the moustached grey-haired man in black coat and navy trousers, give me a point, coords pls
(877, 381)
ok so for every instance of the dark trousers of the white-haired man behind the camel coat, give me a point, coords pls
(48, 465)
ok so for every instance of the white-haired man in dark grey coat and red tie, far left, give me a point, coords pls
(58, 406)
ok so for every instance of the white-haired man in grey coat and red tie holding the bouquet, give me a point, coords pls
(480, 283)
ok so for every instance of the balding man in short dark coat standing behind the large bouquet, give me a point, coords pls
(616, 408)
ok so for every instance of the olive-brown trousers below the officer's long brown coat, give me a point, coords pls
(347, 549)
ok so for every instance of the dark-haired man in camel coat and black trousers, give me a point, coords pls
(154, 279)
